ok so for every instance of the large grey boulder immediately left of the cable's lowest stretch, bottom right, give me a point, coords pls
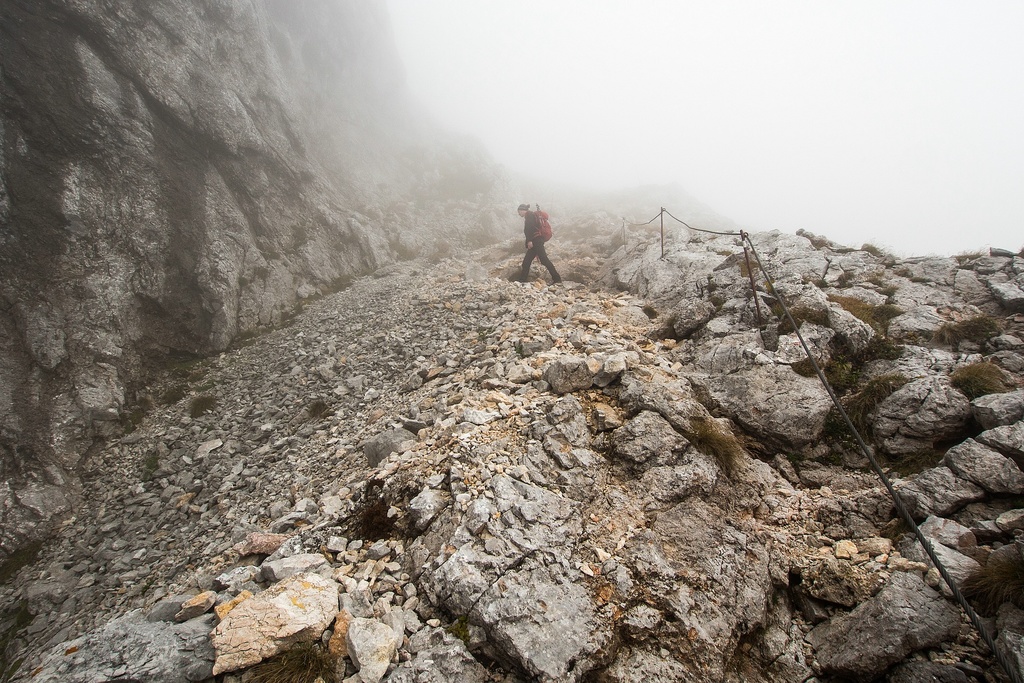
(907, 616)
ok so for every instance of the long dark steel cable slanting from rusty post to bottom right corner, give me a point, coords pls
(1004, 662)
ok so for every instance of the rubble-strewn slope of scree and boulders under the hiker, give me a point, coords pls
(510, 482)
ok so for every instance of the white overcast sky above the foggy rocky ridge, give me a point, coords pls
(897, 123)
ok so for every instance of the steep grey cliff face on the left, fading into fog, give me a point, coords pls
(174, 175)
